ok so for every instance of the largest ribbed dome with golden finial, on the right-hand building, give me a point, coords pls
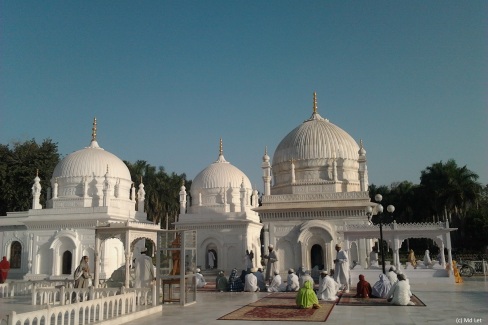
(316, 152)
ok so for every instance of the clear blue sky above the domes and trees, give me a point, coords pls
(167, 79)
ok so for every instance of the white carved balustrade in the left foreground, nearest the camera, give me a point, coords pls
(85, 312)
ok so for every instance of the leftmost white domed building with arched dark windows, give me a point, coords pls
(90, 185)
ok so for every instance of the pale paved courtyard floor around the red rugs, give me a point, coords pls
(465, 303)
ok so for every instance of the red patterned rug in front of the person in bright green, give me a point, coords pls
(280, 306)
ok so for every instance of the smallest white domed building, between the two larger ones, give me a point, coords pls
(221, 212)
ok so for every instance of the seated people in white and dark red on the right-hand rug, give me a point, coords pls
(392, 286)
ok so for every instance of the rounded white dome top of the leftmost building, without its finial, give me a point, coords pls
(91, 161)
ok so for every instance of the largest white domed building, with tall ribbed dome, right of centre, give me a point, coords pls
(316, 183)
